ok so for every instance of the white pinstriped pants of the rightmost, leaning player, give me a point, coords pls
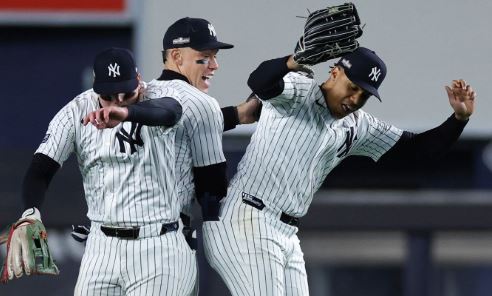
(254, 252)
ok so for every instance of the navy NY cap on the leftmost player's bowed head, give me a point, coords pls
(115, 72)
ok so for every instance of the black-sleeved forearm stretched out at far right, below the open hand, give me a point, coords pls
(429, 144)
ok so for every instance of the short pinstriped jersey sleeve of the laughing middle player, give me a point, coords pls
(203, 121)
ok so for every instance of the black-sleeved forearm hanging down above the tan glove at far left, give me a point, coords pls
(37, 179)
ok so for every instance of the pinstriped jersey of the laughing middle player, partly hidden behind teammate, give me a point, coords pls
(198, 134)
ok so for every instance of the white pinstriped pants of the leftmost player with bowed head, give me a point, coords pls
(157, 265)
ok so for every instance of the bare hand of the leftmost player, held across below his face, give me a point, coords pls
(107, 117)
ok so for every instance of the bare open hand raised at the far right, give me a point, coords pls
(461, 98)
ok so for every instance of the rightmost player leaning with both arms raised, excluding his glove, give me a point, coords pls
(306, 130)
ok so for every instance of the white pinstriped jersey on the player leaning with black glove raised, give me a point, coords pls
(304, 144)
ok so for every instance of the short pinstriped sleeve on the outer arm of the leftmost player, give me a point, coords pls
(58, 142)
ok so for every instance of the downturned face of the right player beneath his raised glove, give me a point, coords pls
(342, 96)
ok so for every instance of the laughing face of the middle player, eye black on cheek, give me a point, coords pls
(198, 66)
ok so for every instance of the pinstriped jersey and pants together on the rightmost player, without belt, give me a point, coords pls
(295, 146)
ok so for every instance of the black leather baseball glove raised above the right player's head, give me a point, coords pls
(328, 33)
